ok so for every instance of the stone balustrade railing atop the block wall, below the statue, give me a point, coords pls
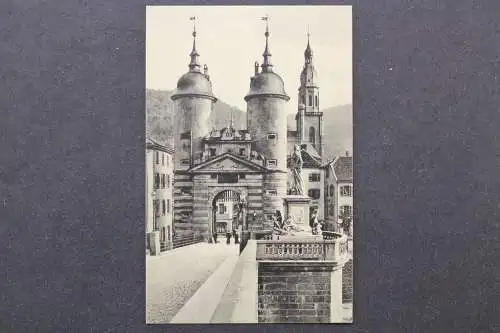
(333, 249)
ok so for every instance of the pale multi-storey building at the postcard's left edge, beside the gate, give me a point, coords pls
(159, 193)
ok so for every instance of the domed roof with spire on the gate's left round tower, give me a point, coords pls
(194, 82)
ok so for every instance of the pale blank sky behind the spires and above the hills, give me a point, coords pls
(231, 38)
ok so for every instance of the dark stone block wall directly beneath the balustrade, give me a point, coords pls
(295, 293)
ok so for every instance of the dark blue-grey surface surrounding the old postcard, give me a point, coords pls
(427, 157)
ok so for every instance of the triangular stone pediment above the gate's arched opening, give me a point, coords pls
(227, 163)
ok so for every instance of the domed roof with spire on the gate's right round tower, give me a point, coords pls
(267, 82)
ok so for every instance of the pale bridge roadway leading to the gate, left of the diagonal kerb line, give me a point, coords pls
(174, 276)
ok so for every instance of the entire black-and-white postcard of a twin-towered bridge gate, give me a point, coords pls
(249, 167)
